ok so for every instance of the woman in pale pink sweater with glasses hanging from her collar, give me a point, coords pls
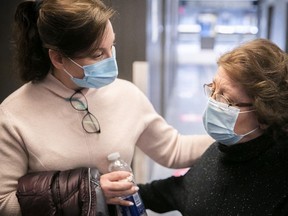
(58, 128)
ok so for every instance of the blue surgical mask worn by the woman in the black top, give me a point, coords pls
(219, 121)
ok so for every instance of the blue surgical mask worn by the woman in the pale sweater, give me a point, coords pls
(98, 74)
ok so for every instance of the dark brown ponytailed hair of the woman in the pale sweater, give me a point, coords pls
(73, 27)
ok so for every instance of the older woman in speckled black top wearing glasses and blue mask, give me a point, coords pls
(245, 172)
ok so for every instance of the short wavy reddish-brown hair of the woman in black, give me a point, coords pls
(261, 67)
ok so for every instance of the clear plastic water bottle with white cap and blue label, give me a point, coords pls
(138, 209)
